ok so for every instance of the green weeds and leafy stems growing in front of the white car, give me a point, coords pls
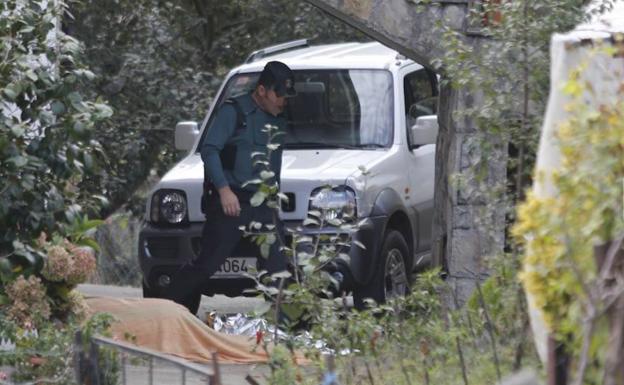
(418, 339)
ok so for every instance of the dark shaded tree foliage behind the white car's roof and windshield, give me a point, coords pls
(161, 62)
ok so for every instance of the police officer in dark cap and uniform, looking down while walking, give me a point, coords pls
(234, 134)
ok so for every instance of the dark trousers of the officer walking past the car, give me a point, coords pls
(220, 235)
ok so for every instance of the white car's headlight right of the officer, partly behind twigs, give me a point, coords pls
(336, 203)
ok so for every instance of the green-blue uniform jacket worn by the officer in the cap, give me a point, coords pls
(245, 140)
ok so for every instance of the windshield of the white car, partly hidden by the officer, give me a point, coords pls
(333, 108)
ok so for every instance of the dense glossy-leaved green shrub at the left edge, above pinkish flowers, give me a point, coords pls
(46, 143)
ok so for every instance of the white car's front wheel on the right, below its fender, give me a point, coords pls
(391, 278)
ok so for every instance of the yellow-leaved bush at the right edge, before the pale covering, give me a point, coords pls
(567, 267)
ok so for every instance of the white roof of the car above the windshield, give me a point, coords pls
(372, 55)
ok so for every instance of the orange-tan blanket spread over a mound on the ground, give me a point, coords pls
(167, 327)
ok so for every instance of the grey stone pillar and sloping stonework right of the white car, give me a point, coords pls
(465, 227)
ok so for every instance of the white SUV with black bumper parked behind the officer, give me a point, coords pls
(364, 121)
